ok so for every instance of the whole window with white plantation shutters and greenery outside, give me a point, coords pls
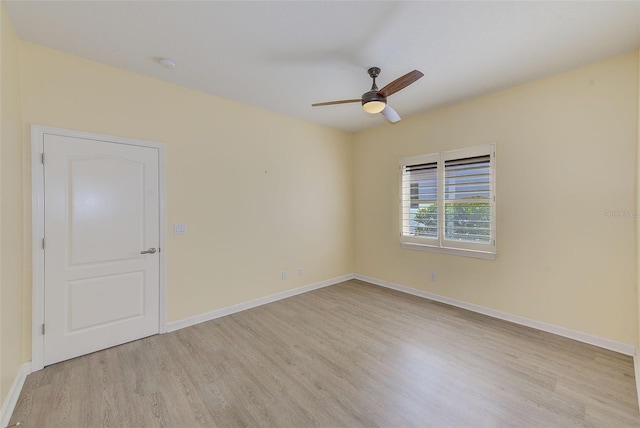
(448, 202)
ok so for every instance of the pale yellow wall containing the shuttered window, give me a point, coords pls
(565, 155)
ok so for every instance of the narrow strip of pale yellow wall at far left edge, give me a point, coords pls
(11, 212)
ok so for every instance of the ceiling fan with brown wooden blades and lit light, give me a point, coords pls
(375, 100)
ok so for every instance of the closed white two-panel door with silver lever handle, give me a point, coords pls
(101, 214)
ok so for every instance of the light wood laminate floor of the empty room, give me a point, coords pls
(348, 355)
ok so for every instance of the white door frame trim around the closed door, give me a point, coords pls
(37, 228)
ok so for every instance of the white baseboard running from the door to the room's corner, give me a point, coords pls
(187, 322)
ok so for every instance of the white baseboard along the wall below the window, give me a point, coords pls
(623, 348)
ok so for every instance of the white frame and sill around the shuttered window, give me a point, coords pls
(441, 244)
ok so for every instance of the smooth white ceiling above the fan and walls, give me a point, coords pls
(284, 55)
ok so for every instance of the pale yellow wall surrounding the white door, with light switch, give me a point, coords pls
(260, 192)
